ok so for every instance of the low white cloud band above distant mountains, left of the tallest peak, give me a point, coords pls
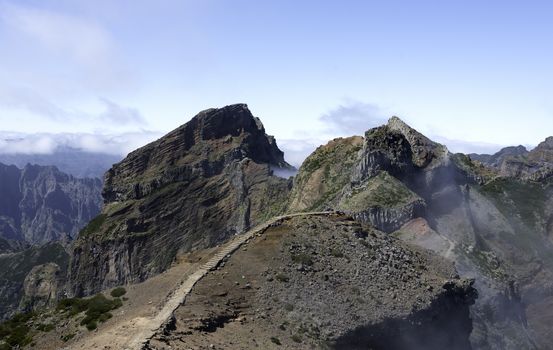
(115, 144)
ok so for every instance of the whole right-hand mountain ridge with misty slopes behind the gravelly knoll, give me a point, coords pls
(494, 225)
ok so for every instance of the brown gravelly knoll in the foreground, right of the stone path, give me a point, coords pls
(326, 281)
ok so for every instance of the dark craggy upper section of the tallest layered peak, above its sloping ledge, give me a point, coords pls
(204, 146)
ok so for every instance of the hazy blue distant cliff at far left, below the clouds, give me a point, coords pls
(41, 204)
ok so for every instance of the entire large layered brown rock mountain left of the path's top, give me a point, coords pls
(195, 187)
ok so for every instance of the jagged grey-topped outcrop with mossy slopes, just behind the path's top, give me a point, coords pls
(361, 176)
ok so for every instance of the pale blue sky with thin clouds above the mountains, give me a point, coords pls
(110, 75)
